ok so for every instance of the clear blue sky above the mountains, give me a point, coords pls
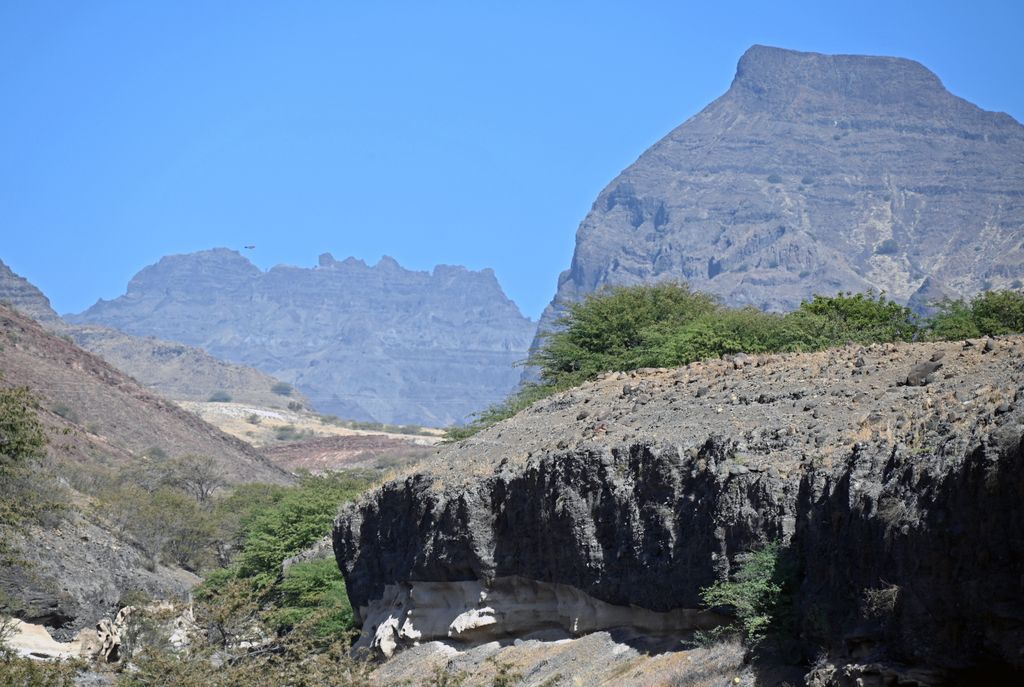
(473, 134)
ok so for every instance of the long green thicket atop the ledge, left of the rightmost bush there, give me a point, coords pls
(668, 325)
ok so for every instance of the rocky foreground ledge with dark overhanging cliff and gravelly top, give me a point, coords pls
(900, 504)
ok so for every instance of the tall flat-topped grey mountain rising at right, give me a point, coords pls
(813, 175)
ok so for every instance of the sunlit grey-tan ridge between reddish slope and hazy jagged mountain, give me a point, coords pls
(173, 370)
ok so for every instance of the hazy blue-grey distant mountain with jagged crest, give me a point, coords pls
(365, 342)
